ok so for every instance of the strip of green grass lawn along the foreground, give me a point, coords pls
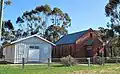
(59, 69)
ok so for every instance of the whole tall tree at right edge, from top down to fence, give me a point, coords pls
(112, 10)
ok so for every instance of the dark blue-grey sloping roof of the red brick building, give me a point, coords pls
(71, 38)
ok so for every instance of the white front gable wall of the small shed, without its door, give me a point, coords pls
(44, 48)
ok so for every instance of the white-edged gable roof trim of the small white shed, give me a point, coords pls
(31, 37)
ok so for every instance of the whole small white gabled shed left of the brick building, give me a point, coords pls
(32, 48)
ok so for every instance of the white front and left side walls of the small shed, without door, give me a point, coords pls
(15, 51)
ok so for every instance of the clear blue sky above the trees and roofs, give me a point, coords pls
(84, 13)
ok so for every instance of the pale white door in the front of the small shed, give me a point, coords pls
(33, 55)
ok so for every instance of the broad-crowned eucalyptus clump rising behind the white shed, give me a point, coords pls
(47, 22)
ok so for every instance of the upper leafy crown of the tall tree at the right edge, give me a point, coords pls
(112, 10)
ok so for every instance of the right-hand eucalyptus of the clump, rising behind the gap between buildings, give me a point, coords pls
(60, 21)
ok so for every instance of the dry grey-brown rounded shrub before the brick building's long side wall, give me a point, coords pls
(68, 61)
